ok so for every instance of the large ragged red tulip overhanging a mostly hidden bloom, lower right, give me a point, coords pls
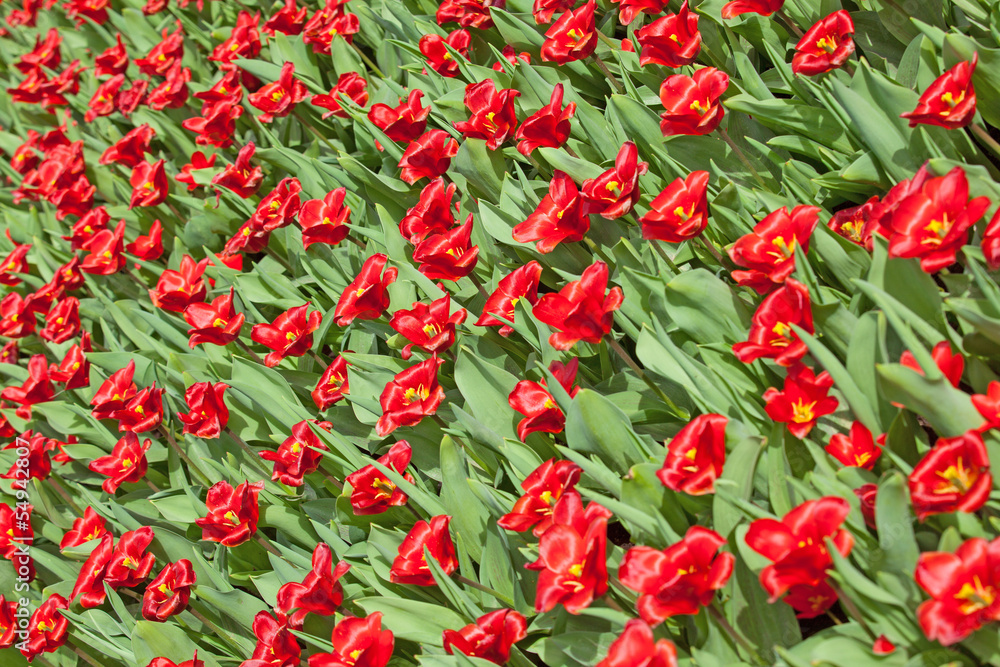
(796, 546)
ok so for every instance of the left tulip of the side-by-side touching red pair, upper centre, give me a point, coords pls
(561, 216)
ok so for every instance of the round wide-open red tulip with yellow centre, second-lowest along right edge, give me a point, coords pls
(953, 477)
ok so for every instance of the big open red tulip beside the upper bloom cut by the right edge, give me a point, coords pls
(933, 222)
